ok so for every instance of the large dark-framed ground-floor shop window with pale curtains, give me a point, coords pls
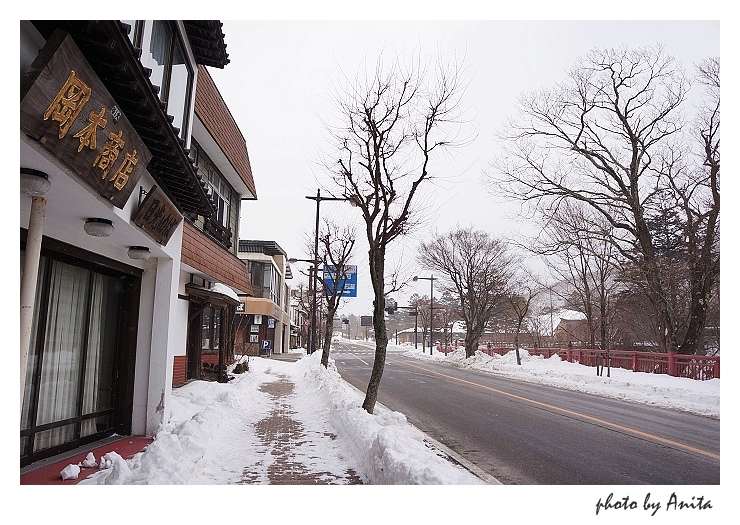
(71, 374)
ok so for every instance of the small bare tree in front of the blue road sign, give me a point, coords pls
(336, 243)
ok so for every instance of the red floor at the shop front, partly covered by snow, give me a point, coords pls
(50, 474)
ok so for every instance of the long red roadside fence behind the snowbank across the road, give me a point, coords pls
(696, 367)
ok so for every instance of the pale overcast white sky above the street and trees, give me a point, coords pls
(278, 86)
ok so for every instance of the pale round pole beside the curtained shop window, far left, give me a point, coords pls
(29, 280)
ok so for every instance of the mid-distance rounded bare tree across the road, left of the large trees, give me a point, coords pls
(476, 268)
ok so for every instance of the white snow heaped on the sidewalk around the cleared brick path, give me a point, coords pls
(211, 438)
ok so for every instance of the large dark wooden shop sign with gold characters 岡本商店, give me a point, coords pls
(66, 107)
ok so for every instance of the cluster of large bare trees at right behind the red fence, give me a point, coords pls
(607, 159)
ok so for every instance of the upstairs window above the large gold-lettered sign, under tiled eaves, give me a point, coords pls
(164, 52)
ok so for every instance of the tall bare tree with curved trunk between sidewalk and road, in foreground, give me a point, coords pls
(394, 122)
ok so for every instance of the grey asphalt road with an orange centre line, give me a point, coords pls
(523, 433)
